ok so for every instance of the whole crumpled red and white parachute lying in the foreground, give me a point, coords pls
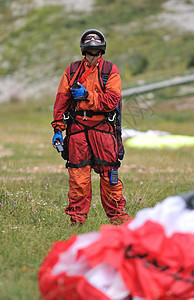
(151, 257)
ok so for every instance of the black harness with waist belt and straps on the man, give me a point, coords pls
(113, 118)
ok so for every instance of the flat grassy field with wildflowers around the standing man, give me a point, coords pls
(34, 181)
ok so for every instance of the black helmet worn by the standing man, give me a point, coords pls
(93, 44)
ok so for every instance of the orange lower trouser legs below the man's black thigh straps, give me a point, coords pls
(80, 197)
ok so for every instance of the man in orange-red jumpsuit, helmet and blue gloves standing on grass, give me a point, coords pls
(86, 109)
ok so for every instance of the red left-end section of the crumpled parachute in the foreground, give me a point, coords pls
(60, 285)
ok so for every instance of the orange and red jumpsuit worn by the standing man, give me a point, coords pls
(91, 144)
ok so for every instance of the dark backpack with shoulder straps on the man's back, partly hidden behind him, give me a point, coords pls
(103, 76)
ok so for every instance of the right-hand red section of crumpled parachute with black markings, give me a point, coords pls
(152, 266)
